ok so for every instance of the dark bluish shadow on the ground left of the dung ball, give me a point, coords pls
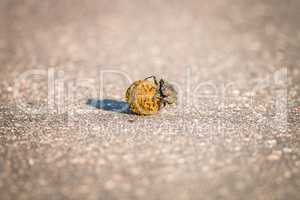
(109, 105)
